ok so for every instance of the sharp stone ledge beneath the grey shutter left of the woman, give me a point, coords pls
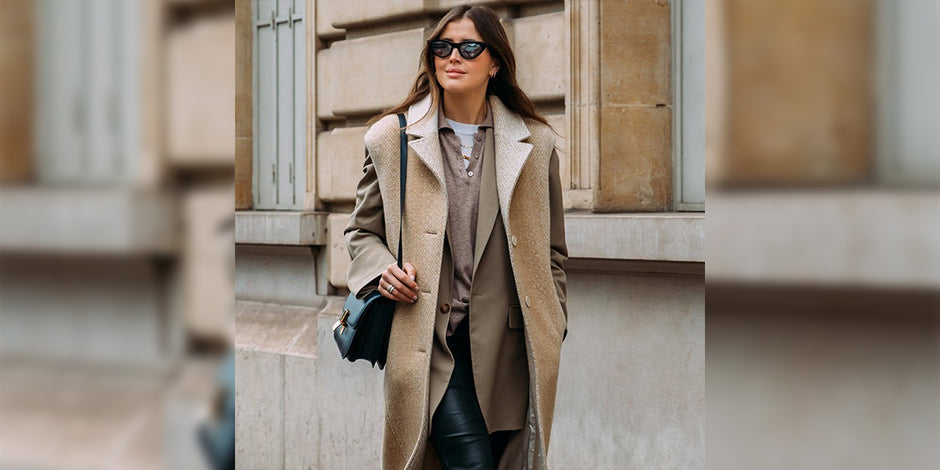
(280, 228)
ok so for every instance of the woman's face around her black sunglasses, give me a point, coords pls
(456, 74)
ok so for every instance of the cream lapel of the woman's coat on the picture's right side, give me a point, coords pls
(509, 130)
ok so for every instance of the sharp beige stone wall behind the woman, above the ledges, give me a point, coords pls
(599, 71)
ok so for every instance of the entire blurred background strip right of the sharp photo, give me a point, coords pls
(823, 254)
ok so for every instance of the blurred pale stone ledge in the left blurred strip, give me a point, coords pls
(107, 221)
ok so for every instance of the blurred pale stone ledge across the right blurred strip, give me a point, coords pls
(849, 237)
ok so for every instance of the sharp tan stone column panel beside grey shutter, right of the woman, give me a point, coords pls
(635, 159)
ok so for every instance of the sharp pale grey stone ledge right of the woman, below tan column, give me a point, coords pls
(676, 236)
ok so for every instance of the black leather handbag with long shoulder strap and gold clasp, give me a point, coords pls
(363, 329)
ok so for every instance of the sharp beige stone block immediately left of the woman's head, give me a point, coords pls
(366, 75)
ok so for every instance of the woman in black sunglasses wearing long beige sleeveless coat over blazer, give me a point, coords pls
(473, 354)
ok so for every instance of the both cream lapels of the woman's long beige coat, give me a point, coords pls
(509, 132)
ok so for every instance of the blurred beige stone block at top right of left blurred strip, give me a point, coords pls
(200, 122)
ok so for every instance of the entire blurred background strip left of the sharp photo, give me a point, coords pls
(116, 233)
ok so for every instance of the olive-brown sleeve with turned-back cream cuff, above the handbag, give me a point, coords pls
(365, 235)
